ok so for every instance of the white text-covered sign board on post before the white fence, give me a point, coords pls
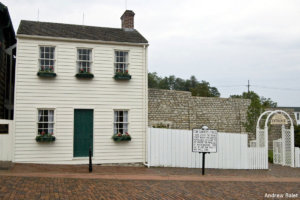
(204, 141)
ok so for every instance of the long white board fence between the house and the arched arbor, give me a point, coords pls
(173, 148)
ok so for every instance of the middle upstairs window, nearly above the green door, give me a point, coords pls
(84, 60)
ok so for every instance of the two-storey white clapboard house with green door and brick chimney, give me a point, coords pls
(79, 88)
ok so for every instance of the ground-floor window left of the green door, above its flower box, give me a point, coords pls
(45, 121)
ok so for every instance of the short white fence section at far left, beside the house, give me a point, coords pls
(6, 140)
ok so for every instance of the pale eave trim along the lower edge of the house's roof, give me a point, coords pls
(79, 40)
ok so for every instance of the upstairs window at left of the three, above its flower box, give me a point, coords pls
(47, 59)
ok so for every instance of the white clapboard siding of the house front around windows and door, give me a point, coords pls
(65, 93)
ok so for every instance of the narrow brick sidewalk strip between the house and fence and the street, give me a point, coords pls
(274, 171)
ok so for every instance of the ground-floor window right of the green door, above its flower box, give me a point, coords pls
(120, 122)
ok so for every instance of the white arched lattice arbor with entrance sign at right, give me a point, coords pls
(283, 148)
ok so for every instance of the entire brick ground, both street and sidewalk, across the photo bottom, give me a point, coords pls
(143, 183)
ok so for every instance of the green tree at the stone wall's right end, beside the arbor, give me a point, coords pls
(256, 107)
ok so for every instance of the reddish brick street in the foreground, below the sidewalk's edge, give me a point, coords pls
(69, 188)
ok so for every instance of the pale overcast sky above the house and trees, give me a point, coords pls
(224, 42)
